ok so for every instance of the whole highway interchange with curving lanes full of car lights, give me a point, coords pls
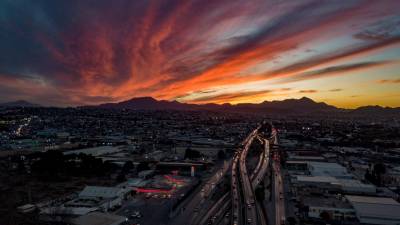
(239, 206)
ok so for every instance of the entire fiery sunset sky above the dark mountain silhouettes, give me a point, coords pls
(75, 52)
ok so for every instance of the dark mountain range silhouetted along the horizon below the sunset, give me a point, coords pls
(302, 106)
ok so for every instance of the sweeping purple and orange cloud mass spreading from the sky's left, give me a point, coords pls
(78, 52)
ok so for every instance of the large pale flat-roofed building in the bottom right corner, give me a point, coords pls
(375, 210)
